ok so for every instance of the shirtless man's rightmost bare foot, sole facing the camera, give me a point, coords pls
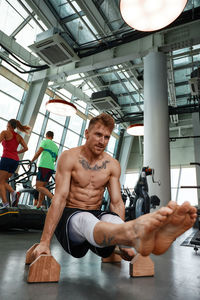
(181, 220)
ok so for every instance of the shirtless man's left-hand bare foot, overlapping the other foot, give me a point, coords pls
(142, 231)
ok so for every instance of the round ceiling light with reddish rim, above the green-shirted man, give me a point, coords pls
(61, 107)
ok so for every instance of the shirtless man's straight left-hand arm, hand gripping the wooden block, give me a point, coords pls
(63, 177)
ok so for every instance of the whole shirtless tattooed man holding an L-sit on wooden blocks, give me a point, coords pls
(74, 215)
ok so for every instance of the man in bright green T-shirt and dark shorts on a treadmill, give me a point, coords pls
(49, 152)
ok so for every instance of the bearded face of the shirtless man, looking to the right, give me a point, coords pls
(97, 138)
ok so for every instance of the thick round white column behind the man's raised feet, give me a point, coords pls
(156, 125)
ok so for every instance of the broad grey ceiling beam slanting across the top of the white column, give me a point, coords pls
(185, 36)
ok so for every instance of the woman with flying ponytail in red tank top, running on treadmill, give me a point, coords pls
(10, 158)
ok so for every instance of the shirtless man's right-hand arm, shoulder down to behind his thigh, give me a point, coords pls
(116, 202)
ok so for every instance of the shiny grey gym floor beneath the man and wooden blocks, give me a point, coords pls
(177, 274)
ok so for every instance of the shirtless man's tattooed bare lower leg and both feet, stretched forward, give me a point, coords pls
(147, 232)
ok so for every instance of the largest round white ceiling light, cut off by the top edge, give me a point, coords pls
(150, 15)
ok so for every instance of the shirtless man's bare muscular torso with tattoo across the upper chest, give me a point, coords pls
(88, 181)
